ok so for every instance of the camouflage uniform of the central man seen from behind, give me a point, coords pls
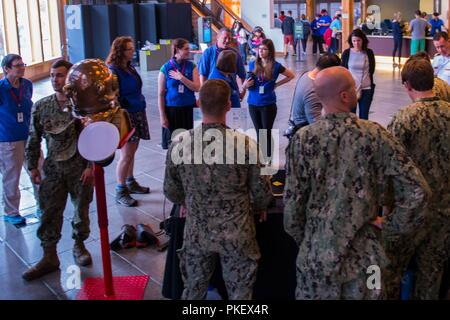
(220, 200)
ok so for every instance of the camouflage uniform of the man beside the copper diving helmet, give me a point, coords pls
(63, 168)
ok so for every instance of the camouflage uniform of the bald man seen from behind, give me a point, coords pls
(335, 173)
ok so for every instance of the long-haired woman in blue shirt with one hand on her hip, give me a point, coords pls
(262, 100)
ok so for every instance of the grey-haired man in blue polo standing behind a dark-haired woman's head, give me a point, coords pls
(209, 57)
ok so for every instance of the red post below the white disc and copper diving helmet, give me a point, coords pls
(100, 193)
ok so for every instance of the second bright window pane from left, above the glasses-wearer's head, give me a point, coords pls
(23, 28)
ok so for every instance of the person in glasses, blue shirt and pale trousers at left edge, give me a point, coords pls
(15, 115)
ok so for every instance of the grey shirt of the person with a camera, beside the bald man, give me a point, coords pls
(306, 106)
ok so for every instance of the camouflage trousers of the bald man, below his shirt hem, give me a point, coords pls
(309, 288)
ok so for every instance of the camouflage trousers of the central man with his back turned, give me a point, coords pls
(197, 267)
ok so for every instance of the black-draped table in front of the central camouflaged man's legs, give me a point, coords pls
(276, 278)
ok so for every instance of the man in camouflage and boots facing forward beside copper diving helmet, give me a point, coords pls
(65, 172)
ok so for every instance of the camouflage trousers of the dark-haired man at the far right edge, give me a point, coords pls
(430, 258)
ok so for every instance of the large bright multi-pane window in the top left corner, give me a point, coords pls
(31, 29)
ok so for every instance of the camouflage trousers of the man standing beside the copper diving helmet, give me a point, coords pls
(60, 179)
